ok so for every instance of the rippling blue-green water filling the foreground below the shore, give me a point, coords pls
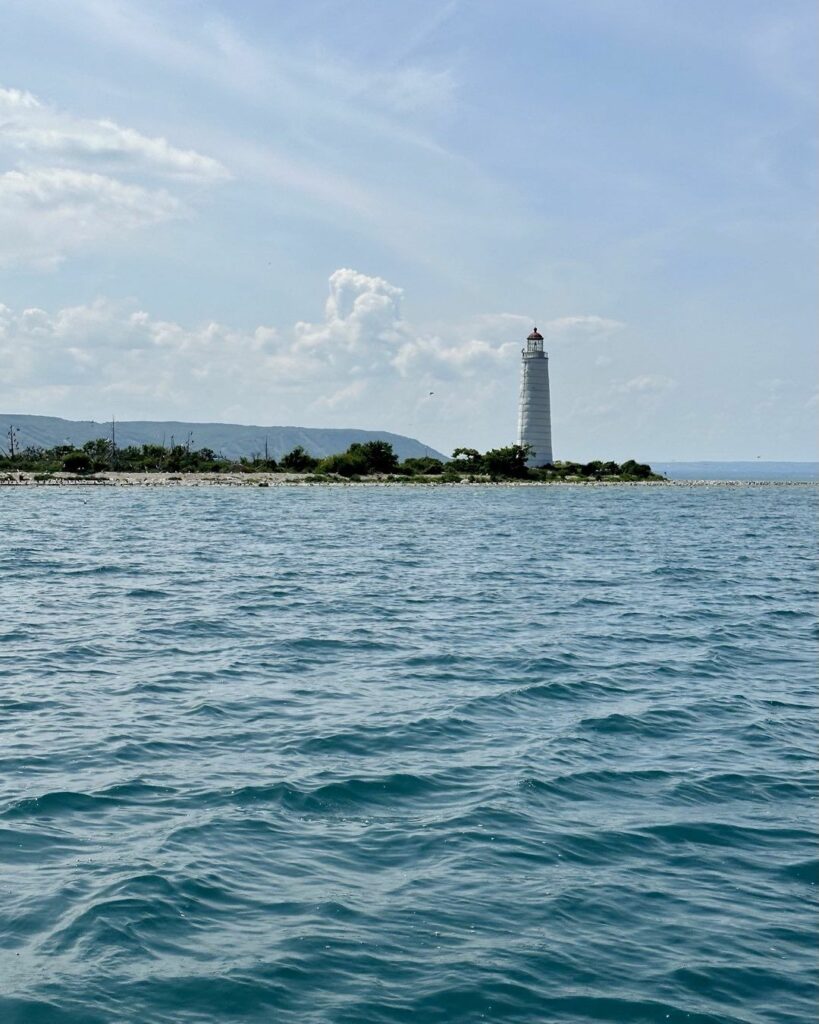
(387, 755)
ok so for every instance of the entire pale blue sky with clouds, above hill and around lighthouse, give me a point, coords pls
(351, 214)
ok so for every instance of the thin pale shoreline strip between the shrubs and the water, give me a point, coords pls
(29, 480)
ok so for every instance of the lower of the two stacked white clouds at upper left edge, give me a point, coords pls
(47, 214)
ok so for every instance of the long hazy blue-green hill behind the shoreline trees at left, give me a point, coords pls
(230, 440)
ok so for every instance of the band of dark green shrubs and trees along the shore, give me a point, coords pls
(361, 460)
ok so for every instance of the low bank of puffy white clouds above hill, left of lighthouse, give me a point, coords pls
(362, 365)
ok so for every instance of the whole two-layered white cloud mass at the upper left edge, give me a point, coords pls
(78, 184)
